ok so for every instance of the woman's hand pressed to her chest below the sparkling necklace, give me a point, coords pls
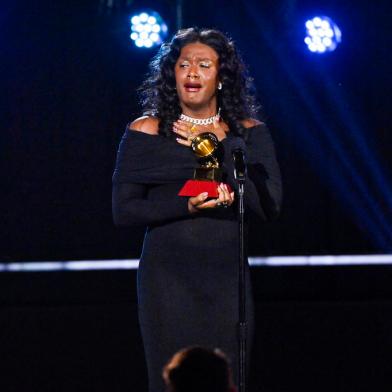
(189, 131)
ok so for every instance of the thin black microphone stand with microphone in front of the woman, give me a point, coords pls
(240, 175)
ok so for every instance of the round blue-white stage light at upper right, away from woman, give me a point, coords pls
(322, 34)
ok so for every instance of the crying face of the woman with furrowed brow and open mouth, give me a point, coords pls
(196, 72)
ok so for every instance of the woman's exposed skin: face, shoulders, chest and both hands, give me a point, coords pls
(197, 81)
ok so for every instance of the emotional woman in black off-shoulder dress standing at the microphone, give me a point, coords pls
(187, 278)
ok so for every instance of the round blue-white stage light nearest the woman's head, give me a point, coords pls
(147, 29)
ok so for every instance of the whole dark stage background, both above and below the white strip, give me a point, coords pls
(68, 80)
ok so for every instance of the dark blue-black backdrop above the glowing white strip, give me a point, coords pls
(69, 74)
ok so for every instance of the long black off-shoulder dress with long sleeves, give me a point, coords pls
(188, 273)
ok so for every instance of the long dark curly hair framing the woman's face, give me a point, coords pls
(159, 95)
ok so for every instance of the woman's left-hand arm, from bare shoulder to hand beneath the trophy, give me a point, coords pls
(130, 202)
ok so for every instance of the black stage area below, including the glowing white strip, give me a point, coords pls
(318, 328)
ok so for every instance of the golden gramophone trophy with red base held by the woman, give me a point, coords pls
(209, 175)
